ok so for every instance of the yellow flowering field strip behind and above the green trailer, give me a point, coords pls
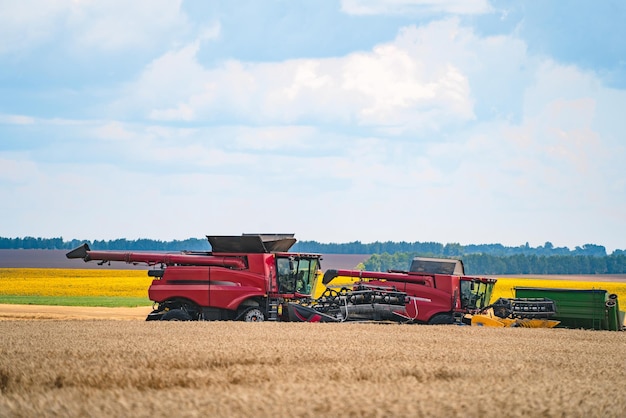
(504, 288)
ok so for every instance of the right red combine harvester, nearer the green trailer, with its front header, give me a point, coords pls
(434, 291)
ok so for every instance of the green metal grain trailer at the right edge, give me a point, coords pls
(588, 309)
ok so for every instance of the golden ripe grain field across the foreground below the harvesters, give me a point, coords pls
(133, 368)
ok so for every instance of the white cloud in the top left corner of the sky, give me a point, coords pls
(110, 25)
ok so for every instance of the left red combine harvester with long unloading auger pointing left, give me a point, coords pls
(249, 277)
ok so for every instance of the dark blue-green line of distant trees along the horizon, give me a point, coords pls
(488, 259)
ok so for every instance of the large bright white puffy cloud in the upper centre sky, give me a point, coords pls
(397, 86)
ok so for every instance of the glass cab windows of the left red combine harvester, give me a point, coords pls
(296, 274)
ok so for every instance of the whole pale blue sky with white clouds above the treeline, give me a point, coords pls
(468, 121)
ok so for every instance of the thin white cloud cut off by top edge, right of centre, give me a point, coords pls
(414, 7)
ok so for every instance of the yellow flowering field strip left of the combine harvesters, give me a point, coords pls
(74, 282)
